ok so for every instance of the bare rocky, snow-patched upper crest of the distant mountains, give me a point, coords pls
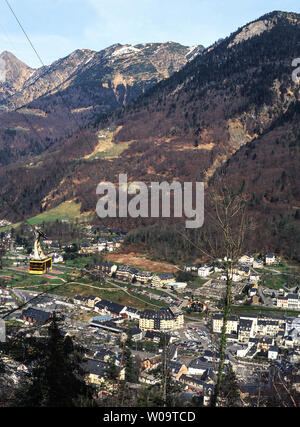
(27, 84)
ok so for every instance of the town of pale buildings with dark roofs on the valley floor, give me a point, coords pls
(263, 335)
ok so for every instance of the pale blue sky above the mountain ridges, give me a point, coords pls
(58, 27)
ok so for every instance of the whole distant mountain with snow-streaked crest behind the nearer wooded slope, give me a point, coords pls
(39, 107)
